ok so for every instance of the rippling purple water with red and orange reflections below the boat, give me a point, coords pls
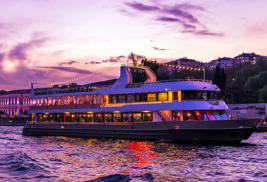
(76, 159)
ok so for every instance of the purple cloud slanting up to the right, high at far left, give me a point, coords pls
(19, 51)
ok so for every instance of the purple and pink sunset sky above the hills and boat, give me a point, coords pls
(47, 41)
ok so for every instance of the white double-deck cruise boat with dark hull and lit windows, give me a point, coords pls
(176, 110)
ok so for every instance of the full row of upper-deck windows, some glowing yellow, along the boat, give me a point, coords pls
(123, 98)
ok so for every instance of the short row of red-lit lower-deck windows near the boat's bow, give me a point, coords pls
(199, 115)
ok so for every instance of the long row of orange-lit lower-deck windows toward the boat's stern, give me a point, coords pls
(96, 117)
